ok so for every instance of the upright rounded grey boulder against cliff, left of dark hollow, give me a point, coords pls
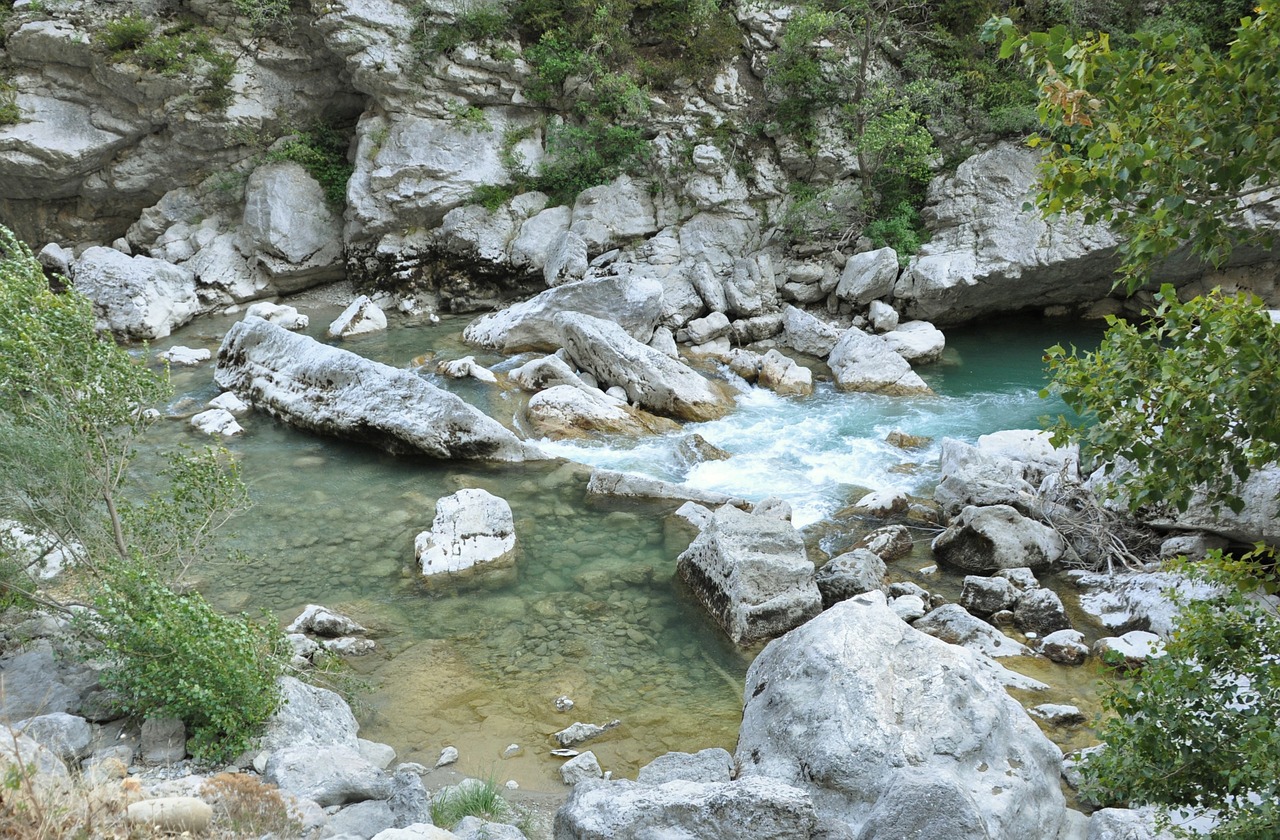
(290, 229)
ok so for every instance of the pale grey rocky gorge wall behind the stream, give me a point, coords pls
(177, 165)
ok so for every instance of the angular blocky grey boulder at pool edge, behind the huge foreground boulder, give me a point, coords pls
(752, 574)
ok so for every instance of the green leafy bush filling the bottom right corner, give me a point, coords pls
(1199, 725)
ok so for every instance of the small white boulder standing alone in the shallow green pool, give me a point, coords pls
(472, 528)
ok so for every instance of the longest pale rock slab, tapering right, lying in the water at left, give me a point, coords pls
(336, 392)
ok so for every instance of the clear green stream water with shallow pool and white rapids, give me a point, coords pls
(596, 611)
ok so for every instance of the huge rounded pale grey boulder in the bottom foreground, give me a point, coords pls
(863, 711)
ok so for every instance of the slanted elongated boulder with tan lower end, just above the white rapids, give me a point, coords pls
(652, 380)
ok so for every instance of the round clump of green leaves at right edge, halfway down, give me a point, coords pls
(1188, 399)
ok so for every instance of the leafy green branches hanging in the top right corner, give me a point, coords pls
(1167, 143)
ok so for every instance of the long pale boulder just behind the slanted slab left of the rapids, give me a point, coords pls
(634, 304)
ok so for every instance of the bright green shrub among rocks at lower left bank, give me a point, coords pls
(175, 656)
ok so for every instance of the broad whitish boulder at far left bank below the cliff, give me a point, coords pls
(136, 296)
